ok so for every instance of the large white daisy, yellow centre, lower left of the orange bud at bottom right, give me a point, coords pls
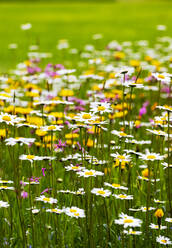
(128, 221)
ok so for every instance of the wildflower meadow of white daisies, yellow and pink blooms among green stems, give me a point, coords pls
(85, 143)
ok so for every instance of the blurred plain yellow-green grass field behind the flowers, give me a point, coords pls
(77, 21)
